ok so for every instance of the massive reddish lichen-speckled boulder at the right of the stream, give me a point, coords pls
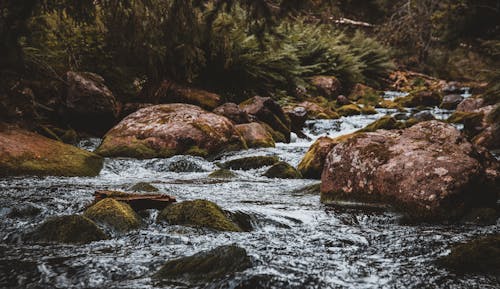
(430, 171)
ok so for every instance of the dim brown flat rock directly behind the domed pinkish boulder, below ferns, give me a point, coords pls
(170, 92)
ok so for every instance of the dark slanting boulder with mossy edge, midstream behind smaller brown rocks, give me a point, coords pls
(265, 109)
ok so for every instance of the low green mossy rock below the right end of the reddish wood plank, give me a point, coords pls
(198, 213)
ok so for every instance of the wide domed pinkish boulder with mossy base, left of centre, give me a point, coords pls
(170, 129)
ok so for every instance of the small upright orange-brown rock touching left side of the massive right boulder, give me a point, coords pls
(312, 164)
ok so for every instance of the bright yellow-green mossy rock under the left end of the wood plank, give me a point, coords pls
(117, 215)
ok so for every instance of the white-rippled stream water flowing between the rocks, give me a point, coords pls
(296, 242)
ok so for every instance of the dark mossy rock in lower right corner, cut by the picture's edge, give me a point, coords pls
(476, 256)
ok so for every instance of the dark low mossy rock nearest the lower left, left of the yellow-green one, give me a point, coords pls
(72, 229)
